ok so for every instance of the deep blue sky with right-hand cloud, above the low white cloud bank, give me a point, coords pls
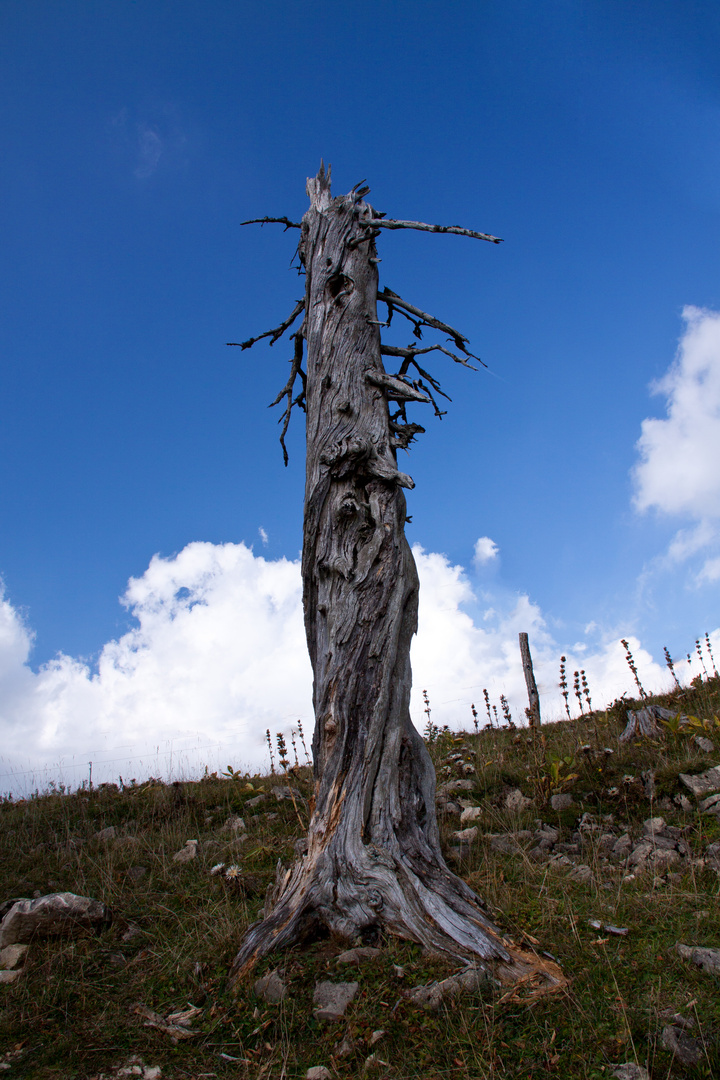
(138, 137)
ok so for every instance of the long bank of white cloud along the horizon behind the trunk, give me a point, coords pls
(219, 656)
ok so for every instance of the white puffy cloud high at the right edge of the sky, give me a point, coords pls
(677, 474)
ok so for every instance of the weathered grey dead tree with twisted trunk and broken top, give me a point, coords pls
(374, 856)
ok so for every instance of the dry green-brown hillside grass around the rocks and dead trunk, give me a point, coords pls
(72, 1014)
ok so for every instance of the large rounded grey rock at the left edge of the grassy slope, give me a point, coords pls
(59, 915)
